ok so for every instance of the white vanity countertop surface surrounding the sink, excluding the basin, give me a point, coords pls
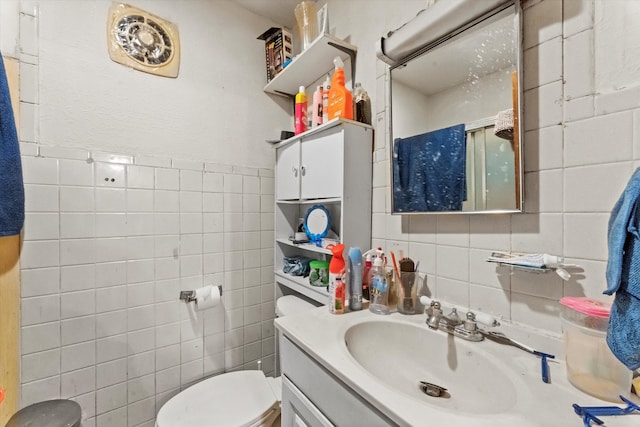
(321, 335)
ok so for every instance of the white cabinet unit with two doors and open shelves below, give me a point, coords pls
(330, 165)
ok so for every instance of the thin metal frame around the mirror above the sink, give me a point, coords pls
(518, 128)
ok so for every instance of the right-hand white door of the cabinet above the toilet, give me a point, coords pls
(321, 165)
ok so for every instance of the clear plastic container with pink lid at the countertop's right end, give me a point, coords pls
(591, 366)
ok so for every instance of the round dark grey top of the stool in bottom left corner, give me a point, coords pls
(50, 413)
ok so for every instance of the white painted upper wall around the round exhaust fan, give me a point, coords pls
(215, 110)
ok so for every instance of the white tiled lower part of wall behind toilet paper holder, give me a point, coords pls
(109, 241)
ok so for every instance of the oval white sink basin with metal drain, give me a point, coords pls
(403, 354)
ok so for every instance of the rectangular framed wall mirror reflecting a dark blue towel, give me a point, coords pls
(455, 121)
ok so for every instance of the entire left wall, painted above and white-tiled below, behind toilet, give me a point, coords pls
(138, 187)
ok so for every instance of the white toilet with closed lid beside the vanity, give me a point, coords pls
(233, 399)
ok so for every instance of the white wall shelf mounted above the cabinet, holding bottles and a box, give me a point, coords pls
(311, 65)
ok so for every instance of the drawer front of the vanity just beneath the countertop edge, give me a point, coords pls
(338, 403)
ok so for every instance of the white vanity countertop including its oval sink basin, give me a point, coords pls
(484, 383)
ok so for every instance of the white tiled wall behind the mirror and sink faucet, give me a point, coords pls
(580, 150)
